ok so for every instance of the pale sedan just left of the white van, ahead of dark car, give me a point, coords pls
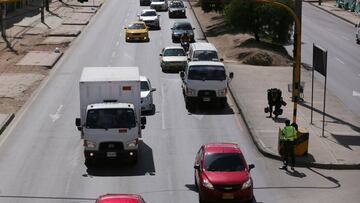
(173, 58)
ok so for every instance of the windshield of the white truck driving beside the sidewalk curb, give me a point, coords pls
(206, 73)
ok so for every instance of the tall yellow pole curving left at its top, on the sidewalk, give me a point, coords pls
(296, 79)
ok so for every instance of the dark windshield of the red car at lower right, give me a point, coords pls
(224, 162)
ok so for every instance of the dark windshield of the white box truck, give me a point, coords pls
(110, 118)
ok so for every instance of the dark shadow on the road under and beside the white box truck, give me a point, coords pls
(144, 166)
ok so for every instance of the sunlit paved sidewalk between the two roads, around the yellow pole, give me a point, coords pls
(340, 146)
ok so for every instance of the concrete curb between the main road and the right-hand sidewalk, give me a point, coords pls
(257, 141)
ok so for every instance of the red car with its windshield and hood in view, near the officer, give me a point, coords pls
(222, 174)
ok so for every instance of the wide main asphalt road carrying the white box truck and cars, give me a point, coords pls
(41, 156)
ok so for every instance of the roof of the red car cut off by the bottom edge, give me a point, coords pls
(120, 198)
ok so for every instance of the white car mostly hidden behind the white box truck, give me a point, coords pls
(147, 105)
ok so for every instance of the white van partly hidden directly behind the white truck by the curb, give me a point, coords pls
(203, 51)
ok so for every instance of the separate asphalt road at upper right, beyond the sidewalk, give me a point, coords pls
(338, 38)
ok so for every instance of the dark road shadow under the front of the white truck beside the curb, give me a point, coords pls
(211, 109)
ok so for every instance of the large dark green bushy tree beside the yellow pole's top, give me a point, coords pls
(260, 19)
